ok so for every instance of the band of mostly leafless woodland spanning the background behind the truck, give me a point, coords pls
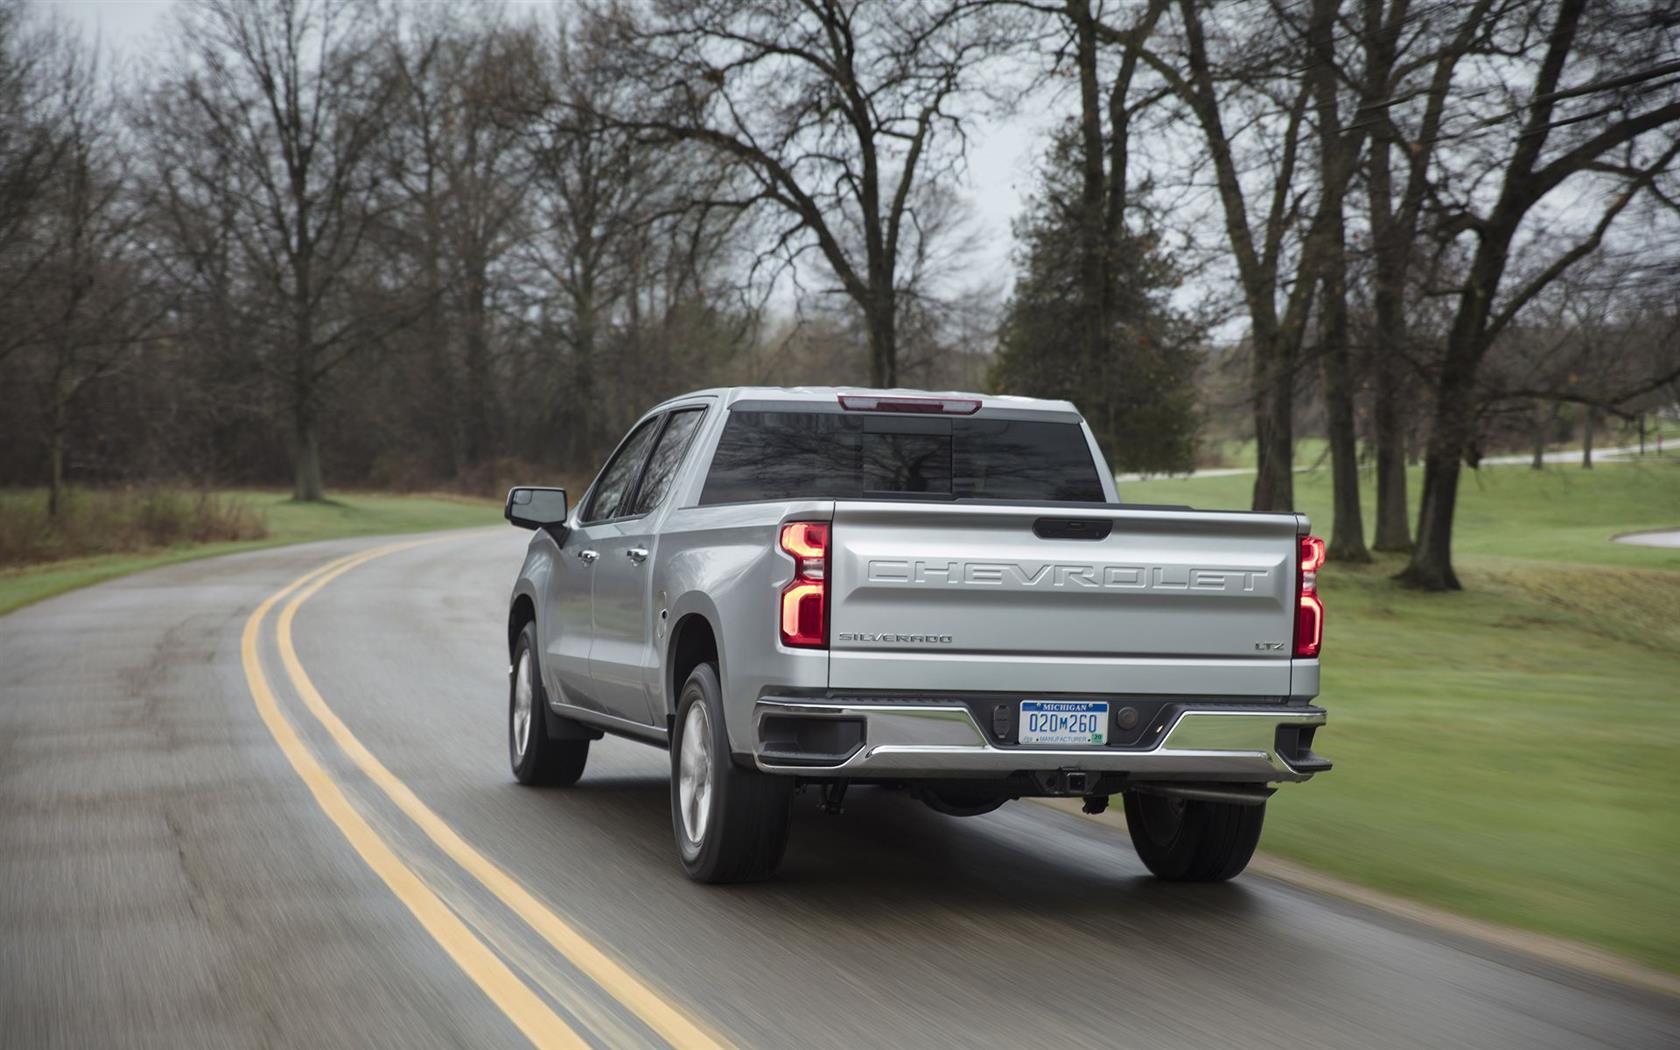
(417, 246)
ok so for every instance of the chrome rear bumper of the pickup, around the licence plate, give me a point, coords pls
(937, 740)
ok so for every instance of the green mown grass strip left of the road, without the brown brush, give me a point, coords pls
(288, 522)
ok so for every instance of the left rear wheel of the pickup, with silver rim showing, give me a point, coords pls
(732, 824)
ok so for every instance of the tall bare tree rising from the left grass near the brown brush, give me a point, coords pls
(286, 95)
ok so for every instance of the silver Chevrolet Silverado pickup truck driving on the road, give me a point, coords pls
(933, 592)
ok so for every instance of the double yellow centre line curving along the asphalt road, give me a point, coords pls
(505, 989)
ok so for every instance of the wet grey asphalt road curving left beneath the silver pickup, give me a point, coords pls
(169, 876)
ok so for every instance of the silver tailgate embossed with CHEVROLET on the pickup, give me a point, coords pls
(1061, 601)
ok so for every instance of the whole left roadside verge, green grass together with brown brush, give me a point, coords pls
(125, 533)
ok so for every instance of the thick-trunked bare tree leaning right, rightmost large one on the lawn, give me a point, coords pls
(1590, 103)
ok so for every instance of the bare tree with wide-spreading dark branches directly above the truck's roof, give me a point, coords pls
(836, 110)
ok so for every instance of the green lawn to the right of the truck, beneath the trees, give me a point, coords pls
(1508, 752)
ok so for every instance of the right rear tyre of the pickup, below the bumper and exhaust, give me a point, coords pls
(1192, 841)
